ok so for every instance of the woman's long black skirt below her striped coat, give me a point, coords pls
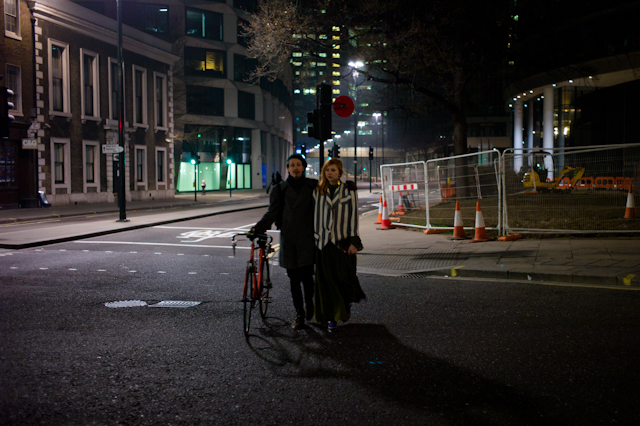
(336, 285)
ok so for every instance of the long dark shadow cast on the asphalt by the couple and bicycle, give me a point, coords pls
(371, 356)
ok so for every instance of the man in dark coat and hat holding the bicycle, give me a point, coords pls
(291, 209)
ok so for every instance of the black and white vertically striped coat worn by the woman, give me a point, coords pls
(336, 218)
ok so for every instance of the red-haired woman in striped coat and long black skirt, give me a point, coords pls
(336, 233)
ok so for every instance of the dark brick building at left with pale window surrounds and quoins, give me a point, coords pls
(76, 108)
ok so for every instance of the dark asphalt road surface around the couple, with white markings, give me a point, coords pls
(419, 351)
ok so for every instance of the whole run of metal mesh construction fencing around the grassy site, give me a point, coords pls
(560, 190)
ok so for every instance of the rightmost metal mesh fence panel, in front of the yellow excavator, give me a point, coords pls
(570, 190)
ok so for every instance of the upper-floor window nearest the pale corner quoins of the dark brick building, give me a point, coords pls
(59, 77)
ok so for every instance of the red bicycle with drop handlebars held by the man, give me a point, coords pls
(257, 279)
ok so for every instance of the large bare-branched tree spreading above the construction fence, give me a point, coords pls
(433, 48)
